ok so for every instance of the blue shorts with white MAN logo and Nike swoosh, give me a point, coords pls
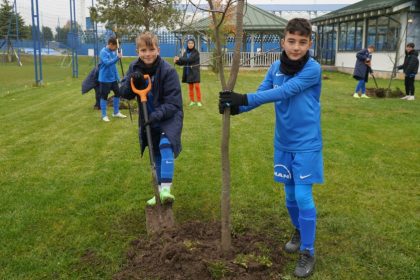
(298, 168)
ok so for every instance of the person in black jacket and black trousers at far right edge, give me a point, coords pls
(410, 68)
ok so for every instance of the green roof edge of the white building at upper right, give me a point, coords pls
(364, 9)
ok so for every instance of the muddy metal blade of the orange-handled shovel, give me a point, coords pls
(159, 218)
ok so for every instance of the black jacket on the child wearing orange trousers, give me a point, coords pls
(191, 62)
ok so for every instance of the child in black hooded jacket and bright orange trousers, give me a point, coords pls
(191, 72)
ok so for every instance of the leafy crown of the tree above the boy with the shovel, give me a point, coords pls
(131, 15)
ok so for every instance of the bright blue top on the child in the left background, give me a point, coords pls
(107, 69)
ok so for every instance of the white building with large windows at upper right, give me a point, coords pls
(387, 24)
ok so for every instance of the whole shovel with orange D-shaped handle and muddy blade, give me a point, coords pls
(160, 216)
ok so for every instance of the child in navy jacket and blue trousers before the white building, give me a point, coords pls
(362, 70)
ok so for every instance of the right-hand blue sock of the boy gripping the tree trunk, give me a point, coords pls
(307, 221)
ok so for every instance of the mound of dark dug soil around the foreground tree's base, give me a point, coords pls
(192, 251)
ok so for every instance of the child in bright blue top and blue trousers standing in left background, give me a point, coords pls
(109, 78)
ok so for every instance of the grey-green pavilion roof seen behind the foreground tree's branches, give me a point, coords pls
(255, 20)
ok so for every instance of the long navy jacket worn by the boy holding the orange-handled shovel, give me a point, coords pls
(167, 102)
